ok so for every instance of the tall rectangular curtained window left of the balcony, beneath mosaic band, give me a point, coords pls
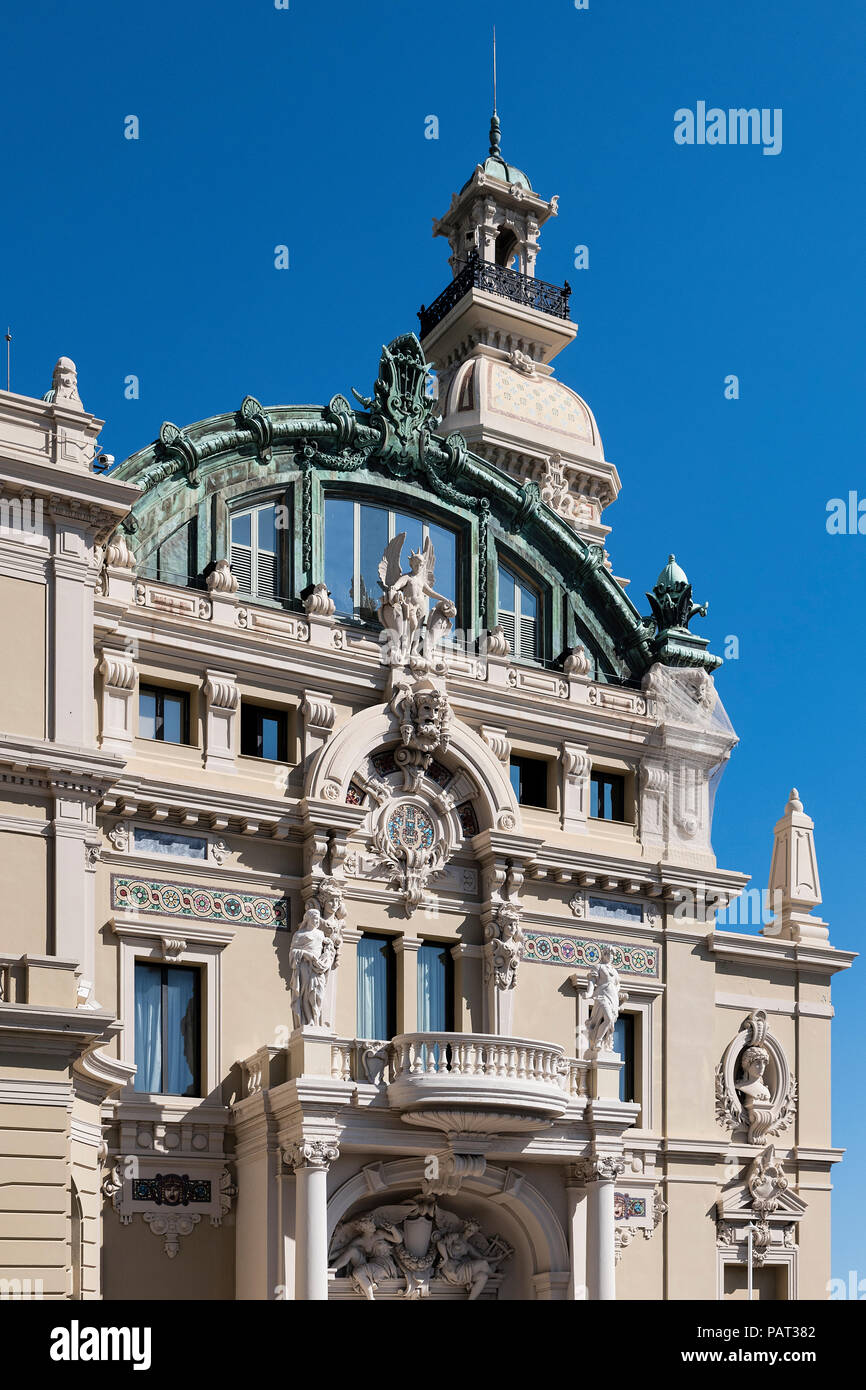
(168, 1029)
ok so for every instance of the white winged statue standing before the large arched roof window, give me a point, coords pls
(414, 633)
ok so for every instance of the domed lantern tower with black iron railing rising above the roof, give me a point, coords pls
(493, 336)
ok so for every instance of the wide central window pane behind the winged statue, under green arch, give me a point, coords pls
(357, 534)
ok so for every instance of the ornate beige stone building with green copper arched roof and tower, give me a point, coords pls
(359, 933)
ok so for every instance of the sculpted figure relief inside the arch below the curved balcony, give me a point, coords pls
(419, 1242)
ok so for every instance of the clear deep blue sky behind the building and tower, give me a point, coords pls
(307, 127)
